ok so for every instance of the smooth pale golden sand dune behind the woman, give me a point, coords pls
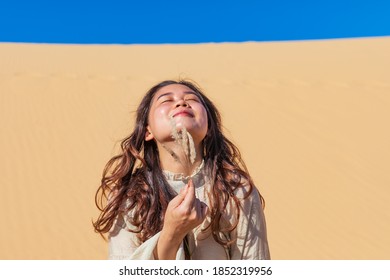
(311, 119)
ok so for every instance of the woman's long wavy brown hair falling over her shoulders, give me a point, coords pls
(135, 178)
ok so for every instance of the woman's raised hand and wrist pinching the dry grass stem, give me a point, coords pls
(184, 213)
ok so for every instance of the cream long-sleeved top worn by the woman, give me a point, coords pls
(250, 234)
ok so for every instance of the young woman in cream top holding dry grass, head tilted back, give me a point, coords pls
(156, 203)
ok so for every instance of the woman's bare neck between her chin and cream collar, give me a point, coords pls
(174, 159)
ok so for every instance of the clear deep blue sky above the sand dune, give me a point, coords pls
(156, 22)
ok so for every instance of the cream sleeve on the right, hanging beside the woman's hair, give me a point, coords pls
(251, 232)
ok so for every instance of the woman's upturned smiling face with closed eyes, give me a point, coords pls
(180, 103)
